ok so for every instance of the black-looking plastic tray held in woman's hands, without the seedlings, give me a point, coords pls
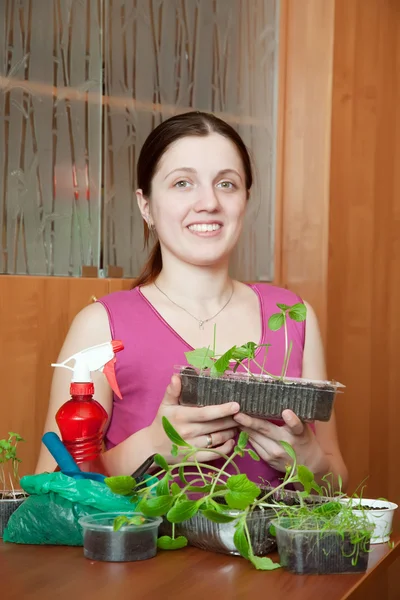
(259, 395)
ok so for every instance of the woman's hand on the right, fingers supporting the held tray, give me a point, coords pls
(265, 437)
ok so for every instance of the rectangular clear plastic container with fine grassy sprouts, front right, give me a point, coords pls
(312, 551)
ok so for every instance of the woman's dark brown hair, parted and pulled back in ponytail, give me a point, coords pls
(180, 126)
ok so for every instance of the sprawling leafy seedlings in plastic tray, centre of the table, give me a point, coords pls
(209, 507)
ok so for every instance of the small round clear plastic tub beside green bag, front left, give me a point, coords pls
(130, 543)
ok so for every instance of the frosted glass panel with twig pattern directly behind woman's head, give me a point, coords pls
(166, 56)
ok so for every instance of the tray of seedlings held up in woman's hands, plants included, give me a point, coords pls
(214, 379)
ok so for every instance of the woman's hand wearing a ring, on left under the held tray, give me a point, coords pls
(194, 424)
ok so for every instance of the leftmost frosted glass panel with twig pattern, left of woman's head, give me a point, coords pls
(50, 135)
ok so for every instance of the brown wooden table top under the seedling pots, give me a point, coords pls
(44, 572)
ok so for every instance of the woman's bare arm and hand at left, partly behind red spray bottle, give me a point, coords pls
(91, 327)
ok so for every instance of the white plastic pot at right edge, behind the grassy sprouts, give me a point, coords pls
(379, 513)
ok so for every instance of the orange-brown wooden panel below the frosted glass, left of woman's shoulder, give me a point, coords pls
(35, 314)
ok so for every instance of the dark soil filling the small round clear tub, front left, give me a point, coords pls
(122, 546)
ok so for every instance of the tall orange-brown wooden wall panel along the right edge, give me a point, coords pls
(364, 239)
